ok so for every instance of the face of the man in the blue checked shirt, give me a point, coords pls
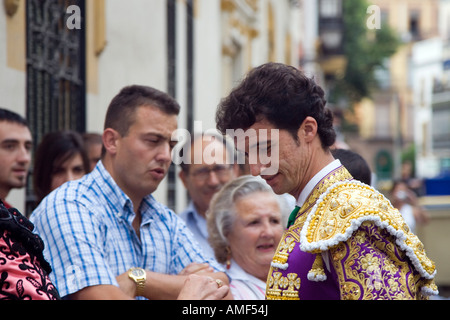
(143, 156)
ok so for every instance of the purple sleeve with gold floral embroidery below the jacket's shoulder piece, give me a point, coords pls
(370, 266)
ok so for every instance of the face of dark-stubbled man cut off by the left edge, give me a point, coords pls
(15, 156)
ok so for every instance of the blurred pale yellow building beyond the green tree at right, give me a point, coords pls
(389, 120)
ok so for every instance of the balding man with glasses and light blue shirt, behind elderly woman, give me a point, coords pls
(203, 174)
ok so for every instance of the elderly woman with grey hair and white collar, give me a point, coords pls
(245, 223)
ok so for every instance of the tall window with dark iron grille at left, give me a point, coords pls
(56, 62)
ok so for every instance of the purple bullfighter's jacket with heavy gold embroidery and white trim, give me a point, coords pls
(348, 242)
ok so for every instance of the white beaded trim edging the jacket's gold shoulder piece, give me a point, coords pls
(325, 245)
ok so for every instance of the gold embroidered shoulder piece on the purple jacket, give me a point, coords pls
(346, 206)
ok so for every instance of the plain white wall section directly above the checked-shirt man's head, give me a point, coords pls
(135, 53)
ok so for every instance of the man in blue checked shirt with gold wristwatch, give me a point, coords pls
(105, 235)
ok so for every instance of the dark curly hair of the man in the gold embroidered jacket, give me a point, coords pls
(280, 94)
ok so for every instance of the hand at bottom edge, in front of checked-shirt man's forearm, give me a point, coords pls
(202, 288)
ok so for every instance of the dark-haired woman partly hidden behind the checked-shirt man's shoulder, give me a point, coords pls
(60, 157)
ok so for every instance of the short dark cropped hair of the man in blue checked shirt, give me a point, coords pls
(121, 111)
